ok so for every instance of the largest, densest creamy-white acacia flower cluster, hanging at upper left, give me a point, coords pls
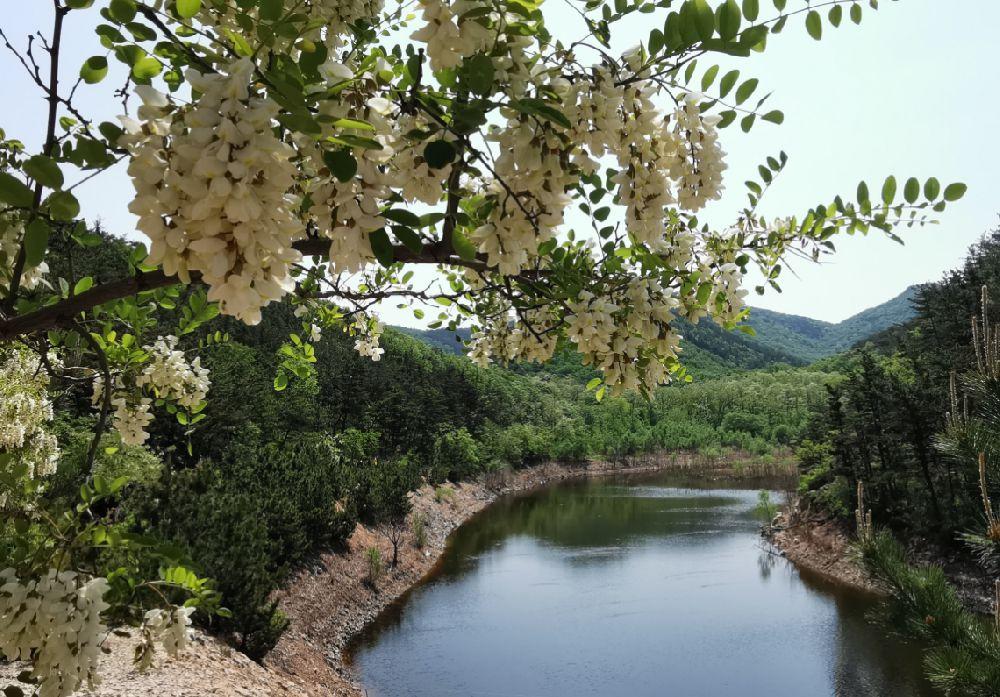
(211, 190)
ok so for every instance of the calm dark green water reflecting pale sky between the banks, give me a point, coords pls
(628, 587)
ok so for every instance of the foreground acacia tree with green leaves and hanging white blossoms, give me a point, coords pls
(320, 152)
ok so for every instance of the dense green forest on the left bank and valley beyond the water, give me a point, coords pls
(288, 469)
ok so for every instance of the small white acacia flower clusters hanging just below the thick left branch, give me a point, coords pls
(168, 375)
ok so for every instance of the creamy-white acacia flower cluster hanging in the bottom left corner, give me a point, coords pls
(55, 623)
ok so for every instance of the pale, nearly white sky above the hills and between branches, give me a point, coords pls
(909, 92)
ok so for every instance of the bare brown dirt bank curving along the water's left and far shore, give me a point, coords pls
(330, 602)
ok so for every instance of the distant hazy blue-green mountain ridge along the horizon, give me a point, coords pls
(780, 338)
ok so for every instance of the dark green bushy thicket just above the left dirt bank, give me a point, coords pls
(250, 518)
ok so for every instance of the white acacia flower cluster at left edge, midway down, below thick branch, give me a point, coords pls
(25, 410)
